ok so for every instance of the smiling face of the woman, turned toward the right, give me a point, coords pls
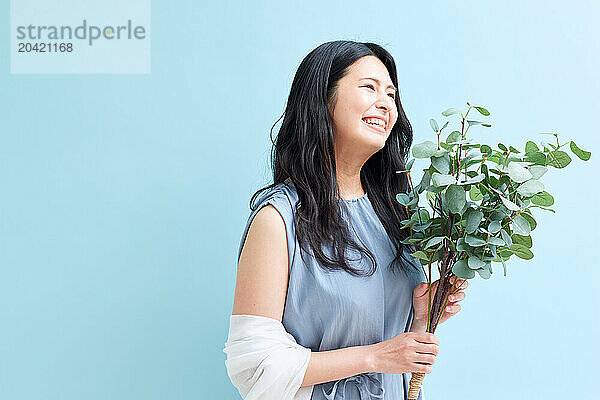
(359, 98)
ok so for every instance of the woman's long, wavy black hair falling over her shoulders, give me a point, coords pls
(304, 152)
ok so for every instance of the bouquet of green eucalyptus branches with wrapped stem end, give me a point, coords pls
(479, 210)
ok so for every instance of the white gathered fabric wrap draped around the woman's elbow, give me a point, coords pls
(264, 361)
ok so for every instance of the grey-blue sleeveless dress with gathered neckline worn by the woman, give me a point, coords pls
(332, 310)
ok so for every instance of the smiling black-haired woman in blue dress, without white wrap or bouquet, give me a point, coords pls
(343, 137)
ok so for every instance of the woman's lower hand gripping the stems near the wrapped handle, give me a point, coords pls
(406, 352)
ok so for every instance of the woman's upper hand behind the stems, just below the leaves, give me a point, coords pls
(421, 299)
